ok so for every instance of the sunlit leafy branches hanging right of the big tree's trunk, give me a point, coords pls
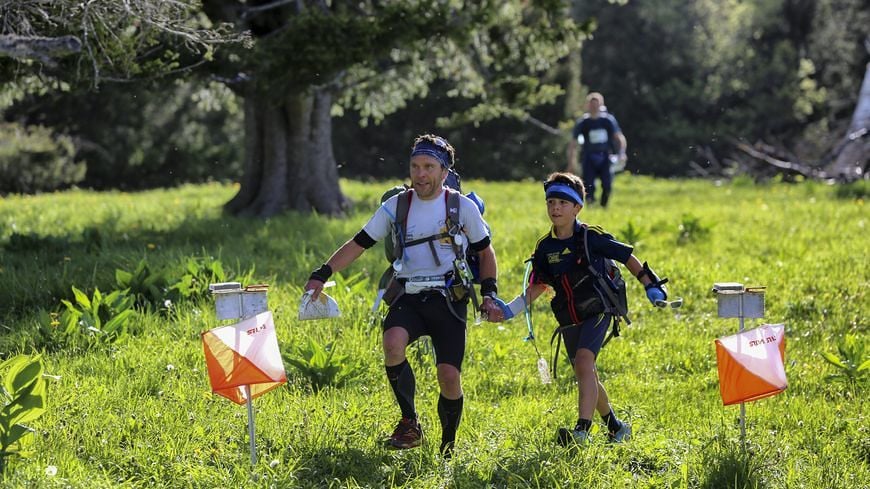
(492, 57)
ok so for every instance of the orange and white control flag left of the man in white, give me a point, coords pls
(245, 353)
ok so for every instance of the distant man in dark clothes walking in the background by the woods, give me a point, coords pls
(601, 138)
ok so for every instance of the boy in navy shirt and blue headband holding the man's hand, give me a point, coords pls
(583, 311)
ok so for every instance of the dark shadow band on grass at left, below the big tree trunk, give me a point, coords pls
(38, 271)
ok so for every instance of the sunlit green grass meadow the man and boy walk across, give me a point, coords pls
(139, 413)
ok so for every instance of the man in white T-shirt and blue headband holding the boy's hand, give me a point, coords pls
(423, 295)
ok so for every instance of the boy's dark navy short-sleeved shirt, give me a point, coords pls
(562, 264)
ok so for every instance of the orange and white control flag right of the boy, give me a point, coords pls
(751, 364)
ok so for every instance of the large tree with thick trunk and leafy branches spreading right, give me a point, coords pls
(315, 59)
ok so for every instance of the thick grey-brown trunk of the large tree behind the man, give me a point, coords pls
(289, 163)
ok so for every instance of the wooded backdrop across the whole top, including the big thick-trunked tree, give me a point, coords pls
(288, 95)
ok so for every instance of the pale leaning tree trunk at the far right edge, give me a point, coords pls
(854, 154)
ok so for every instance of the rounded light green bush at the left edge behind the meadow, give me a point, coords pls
(34, 159)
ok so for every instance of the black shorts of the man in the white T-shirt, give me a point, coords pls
(427, 313)
